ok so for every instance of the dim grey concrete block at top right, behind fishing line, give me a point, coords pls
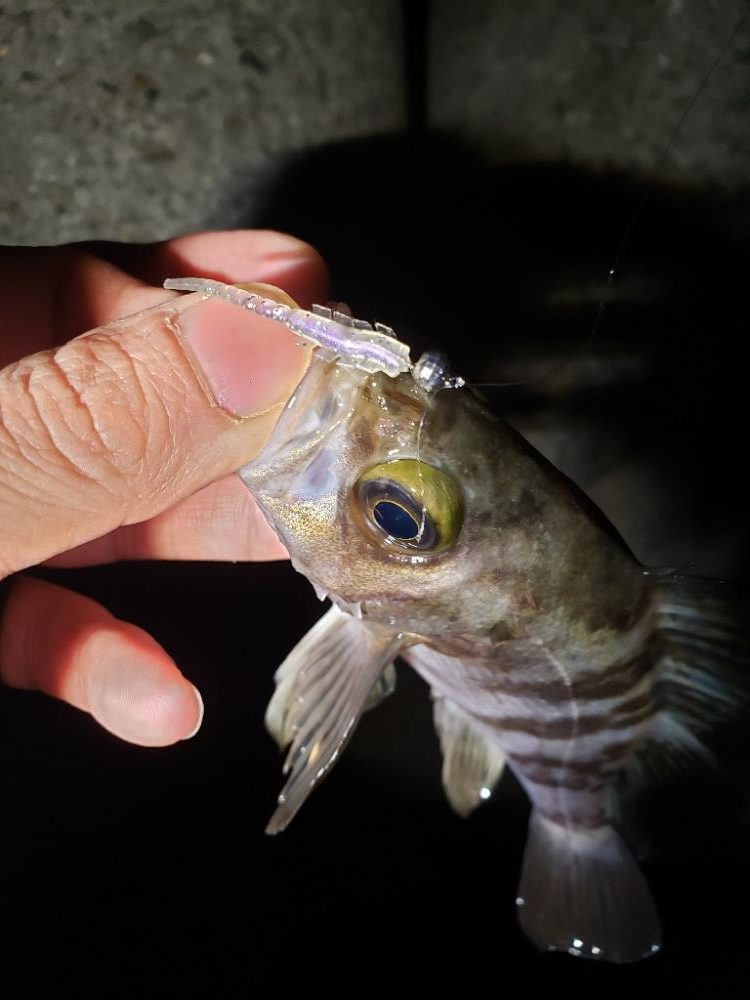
(596, 84)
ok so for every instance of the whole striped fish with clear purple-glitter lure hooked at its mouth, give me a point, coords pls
(443, 537)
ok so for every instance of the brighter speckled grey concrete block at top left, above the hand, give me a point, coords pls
(136, 121)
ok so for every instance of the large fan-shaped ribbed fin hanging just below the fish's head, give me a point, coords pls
(323, 687)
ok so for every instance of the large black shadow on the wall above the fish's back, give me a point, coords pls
(507, 269)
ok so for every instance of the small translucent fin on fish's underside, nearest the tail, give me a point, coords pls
(472, 765)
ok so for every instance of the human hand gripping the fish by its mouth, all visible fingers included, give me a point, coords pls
(117, 445)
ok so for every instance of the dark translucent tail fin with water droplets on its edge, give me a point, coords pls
(581, 892)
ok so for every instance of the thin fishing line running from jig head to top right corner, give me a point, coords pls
(631, 226)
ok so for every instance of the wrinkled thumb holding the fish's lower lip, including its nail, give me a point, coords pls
(119, 424)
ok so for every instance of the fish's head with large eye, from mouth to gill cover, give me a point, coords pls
(389, 497)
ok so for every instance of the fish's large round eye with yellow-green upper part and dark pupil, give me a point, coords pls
(409, 506)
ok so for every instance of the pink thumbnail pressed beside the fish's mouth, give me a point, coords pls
(247, 363)
